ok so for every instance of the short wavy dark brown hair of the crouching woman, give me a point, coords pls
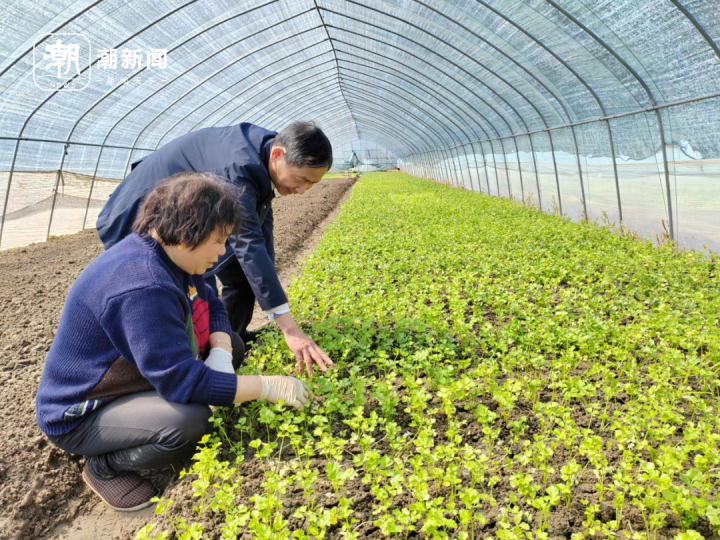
(187, 207)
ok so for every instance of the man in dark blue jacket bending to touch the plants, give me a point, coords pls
(256, 161)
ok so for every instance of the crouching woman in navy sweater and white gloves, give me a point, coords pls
(144, 346)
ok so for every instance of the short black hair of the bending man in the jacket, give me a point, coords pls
(305, 145)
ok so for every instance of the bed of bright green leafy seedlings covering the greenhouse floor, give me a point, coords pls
(495, 365)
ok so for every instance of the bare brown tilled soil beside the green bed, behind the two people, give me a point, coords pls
(42, 493)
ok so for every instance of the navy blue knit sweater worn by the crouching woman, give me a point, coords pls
(132, 321)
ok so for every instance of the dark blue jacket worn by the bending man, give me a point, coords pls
(239, 154)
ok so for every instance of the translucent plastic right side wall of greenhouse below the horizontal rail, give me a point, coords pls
(675, 196)
